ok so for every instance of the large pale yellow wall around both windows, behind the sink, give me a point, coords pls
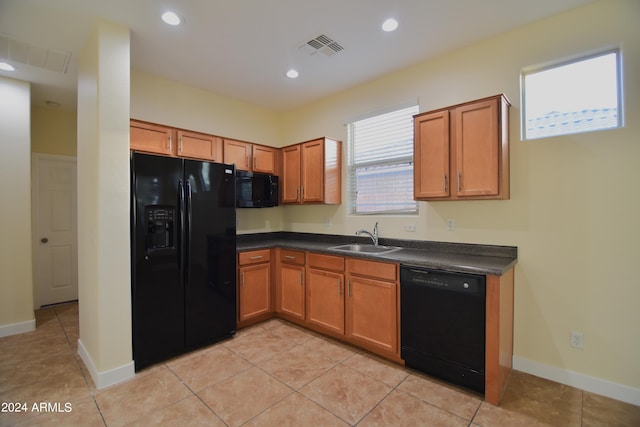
(574, 205)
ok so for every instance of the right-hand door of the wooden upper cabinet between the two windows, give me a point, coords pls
(477, 146)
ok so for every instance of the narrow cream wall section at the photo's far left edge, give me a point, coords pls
(16, 279)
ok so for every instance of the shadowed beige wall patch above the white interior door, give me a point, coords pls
(53, 131)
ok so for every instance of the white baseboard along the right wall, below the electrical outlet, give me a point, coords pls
(595, 385)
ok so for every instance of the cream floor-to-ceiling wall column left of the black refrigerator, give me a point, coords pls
(104, 278)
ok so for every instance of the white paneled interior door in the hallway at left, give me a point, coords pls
(55, 231)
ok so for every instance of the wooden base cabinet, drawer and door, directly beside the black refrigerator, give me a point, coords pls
(254, 286)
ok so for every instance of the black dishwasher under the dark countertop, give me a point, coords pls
(443, 324)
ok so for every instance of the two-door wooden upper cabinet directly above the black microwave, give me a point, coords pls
(250, 157)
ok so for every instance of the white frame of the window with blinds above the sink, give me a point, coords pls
(352, 167)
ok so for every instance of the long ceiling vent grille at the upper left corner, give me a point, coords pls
(29, 54)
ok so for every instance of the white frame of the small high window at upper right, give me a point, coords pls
(617, 51)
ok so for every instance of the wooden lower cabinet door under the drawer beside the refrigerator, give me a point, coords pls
(254, 291)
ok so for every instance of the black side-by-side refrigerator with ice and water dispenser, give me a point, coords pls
(183, 234)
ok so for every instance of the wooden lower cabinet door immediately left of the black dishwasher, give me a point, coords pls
(372, 313)
